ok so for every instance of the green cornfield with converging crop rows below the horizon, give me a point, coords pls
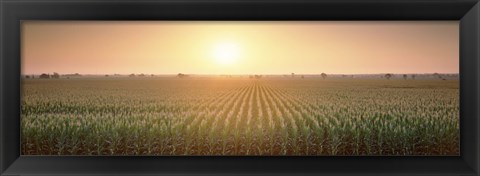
(239, 116)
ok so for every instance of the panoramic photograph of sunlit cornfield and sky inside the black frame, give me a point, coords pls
(240, 88)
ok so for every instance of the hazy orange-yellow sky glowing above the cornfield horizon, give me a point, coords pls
(201, 47)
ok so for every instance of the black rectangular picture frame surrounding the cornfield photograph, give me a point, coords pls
(12, 12)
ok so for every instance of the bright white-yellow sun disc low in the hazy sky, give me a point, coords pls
(226, 53)
